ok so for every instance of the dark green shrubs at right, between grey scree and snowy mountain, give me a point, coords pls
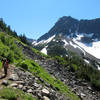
(83, 70)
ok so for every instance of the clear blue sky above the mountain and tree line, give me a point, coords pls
(36, 17)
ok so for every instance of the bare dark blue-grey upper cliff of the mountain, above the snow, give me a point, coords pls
(68, 25)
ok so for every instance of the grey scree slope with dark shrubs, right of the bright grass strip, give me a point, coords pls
(69, 71)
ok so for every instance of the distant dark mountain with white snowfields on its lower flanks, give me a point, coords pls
(80, 36)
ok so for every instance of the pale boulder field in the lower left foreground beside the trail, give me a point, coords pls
(29, 83)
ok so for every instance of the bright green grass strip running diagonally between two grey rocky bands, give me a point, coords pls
(41, 72)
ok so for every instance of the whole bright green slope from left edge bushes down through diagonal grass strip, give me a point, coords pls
(9, 49)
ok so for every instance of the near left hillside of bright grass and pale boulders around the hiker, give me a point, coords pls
(20, 55)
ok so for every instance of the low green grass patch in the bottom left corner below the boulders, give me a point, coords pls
(13, 94)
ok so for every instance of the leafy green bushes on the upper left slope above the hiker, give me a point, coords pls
(8, 48)
